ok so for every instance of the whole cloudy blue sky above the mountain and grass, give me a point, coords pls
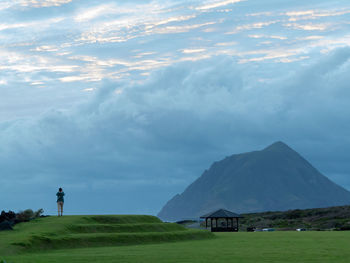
(123, 104)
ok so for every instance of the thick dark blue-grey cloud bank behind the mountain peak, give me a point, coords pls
(167, 130)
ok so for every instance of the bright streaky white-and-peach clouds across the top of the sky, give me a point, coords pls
(35, 40)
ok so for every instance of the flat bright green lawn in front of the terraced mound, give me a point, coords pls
(242, 247)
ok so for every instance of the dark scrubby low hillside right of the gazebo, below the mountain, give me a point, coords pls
(337, 218)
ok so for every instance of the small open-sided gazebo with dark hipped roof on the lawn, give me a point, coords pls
(224, 221)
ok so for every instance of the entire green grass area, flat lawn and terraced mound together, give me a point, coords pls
(318, 246)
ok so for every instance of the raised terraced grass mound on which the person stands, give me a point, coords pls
(91, 231)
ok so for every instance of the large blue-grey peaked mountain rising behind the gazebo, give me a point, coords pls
(276, 178)
